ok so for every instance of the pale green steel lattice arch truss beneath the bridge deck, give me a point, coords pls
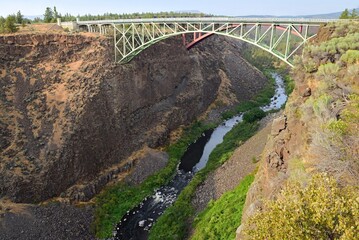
(281, 40)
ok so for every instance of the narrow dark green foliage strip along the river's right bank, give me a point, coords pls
(173, 224)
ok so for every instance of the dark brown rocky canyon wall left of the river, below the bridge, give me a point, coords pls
(70, 116)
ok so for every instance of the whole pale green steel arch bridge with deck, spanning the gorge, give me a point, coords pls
(280, 37)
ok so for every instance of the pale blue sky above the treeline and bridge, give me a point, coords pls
(217, 7)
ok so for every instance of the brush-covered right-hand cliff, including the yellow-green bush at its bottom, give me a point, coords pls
(307, 182)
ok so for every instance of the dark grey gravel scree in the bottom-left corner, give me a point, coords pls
(52, 222)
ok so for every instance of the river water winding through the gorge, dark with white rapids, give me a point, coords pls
(135, 225)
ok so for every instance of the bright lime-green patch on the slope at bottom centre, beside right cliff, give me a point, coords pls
(222, 217)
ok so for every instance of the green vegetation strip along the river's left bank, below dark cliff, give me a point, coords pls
(113, 202)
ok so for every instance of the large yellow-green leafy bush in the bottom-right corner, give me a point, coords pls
(322, 210)
